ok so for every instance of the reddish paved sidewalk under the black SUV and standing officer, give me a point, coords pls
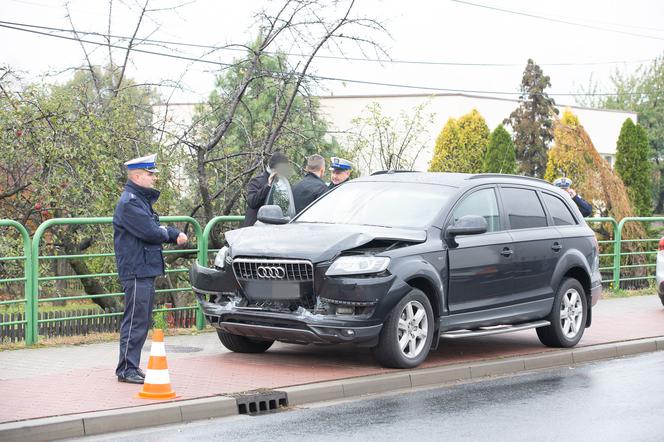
(75, 379)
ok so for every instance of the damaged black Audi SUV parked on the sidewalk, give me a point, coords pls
(396, 261)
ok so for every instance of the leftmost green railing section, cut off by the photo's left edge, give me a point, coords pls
(25, 279)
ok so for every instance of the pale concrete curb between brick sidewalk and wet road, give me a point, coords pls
(99, 422)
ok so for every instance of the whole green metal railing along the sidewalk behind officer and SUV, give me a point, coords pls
(614, 259)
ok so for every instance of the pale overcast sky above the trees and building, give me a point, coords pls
(421, 30)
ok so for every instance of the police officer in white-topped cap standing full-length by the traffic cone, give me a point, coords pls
(138, 240)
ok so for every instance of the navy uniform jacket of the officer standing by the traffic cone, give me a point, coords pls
(137, 235)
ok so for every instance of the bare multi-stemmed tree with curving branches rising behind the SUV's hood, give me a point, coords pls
(305, 24)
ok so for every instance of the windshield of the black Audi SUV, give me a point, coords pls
(388, 204)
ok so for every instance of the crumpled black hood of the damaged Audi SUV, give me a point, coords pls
(314, 242)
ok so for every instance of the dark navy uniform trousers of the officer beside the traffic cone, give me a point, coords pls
(139, 298)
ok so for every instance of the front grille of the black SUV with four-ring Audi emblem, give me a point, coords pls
(250, 269)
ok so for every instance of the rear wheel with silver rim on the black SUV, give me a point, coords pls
(568, 316)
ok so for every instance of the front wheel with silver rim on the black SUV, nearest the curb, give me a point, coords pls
(406, 324)
